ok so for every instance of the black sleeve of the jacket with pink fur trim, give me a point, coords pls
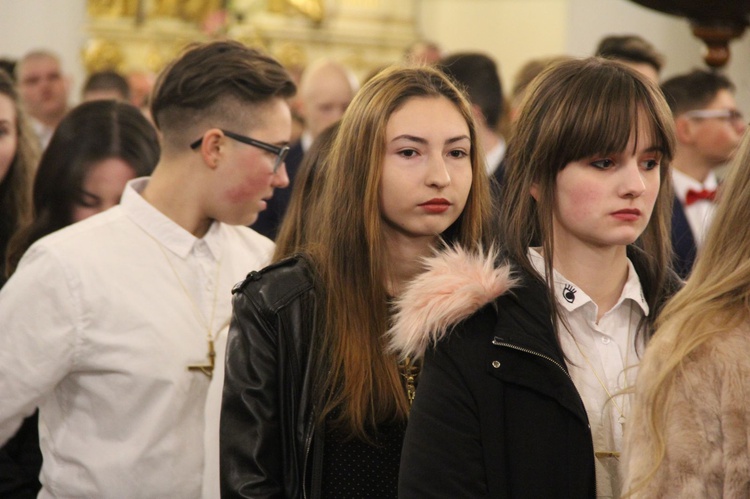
(442, 455)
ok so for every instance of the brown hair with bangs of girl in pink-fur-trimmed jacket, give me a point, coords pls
(574, 110)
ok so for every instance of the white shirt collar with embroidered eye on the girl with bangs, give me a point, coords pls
(570, 298)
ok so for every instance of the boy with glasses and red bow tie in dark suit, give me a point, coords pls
(708, 128)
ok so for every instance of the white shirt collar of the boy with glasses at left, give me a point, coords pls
(163, 229)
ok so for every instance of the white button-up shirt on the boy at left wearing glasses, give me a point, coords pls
(98, 331)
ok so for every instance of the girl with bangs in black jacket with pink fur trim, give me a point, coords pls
(526, 366)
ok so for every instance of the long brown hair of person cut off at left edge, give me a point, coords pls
(15, 187)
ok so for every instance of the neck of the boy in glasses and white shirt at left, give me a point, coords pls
(171, 191)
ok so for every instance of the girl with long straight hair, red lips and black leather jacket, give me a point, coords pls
(314, 403)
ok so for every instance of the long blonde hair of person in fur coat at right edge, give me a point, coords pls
(715, 300)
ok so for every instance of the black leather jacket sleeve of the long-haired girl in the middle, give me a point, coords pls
(251, 454)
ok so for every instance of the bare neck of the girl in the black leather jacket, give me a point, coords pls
(404, 256)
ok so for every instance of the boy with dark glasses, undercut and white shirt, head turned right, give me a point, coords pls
(115, 327)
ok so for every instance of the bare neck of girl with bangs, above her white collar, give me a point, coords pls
(600, 273)
